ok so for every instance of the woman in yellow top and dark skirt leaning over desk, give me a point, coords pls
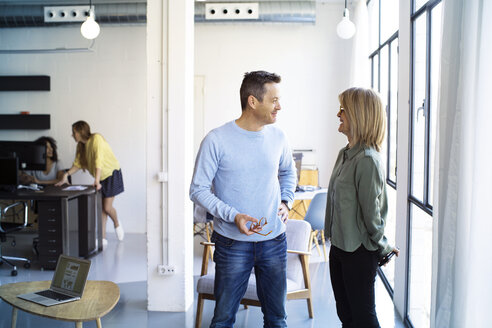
(95, 155)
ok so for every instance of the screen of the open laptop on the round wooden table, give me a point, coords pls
(71, 274)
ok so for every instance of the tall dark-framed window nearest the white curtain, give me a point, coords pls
(426, 42)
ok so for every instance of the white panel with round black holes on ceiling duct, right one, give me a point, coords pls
(242, 10)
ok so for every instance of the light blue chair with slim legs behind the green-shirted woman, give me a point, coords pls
(315, 215)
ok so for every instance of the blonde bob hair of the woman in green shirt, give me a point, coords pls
(366, 115)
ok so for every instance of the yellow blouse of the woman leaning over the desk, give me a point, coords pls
(98, 155)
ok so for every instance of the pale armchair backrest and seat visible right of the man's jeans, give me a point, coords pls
(297, 234)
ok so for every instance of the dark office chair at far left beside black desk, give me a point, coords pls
(9, 227)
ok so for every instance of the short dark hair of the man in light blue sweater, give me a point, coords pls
(254, 84)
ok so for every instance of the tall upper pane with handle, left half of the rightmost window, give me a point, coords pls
(418, 112)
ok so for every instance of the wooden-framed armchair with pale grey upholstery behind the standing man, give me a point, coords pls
(298, 278)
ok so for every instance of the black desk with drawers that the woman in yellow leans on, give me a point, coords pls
(69, 222)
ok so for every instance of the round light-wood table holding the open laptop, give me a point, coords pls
(98, 299)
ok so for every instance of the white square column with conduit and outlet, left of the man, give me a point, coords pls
(170, 42)
